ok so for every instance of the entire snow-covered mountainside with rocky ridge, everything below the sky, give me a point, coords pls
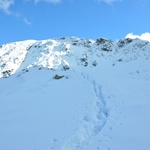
(75, 94)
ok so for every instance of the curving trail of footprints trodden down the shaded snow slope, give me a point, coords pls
(92, 123)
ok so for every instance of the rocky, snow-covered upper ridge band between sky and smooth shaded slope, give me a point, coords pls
(68, 53)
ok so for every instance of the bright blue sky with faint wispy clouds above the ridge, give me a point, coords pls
(43, 19)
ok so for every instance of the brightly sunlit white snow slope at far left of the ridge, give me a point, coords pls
(12, 55)
